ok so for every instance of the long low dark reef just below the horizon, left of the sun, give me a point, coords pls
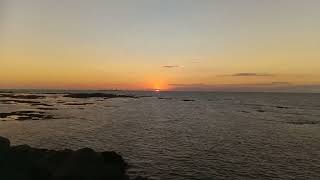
(97, 95)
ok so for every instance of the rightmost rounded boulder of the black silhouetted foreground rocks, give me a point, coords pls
(86, 164)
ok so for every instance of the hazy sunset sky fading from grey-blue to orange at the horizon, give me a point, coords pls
(205, 45)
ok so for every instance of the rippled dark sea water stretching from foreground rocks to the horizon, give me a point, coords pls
(182, 135)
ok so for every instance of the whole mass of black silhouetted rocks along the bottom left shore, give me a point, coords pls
(26, 163)
